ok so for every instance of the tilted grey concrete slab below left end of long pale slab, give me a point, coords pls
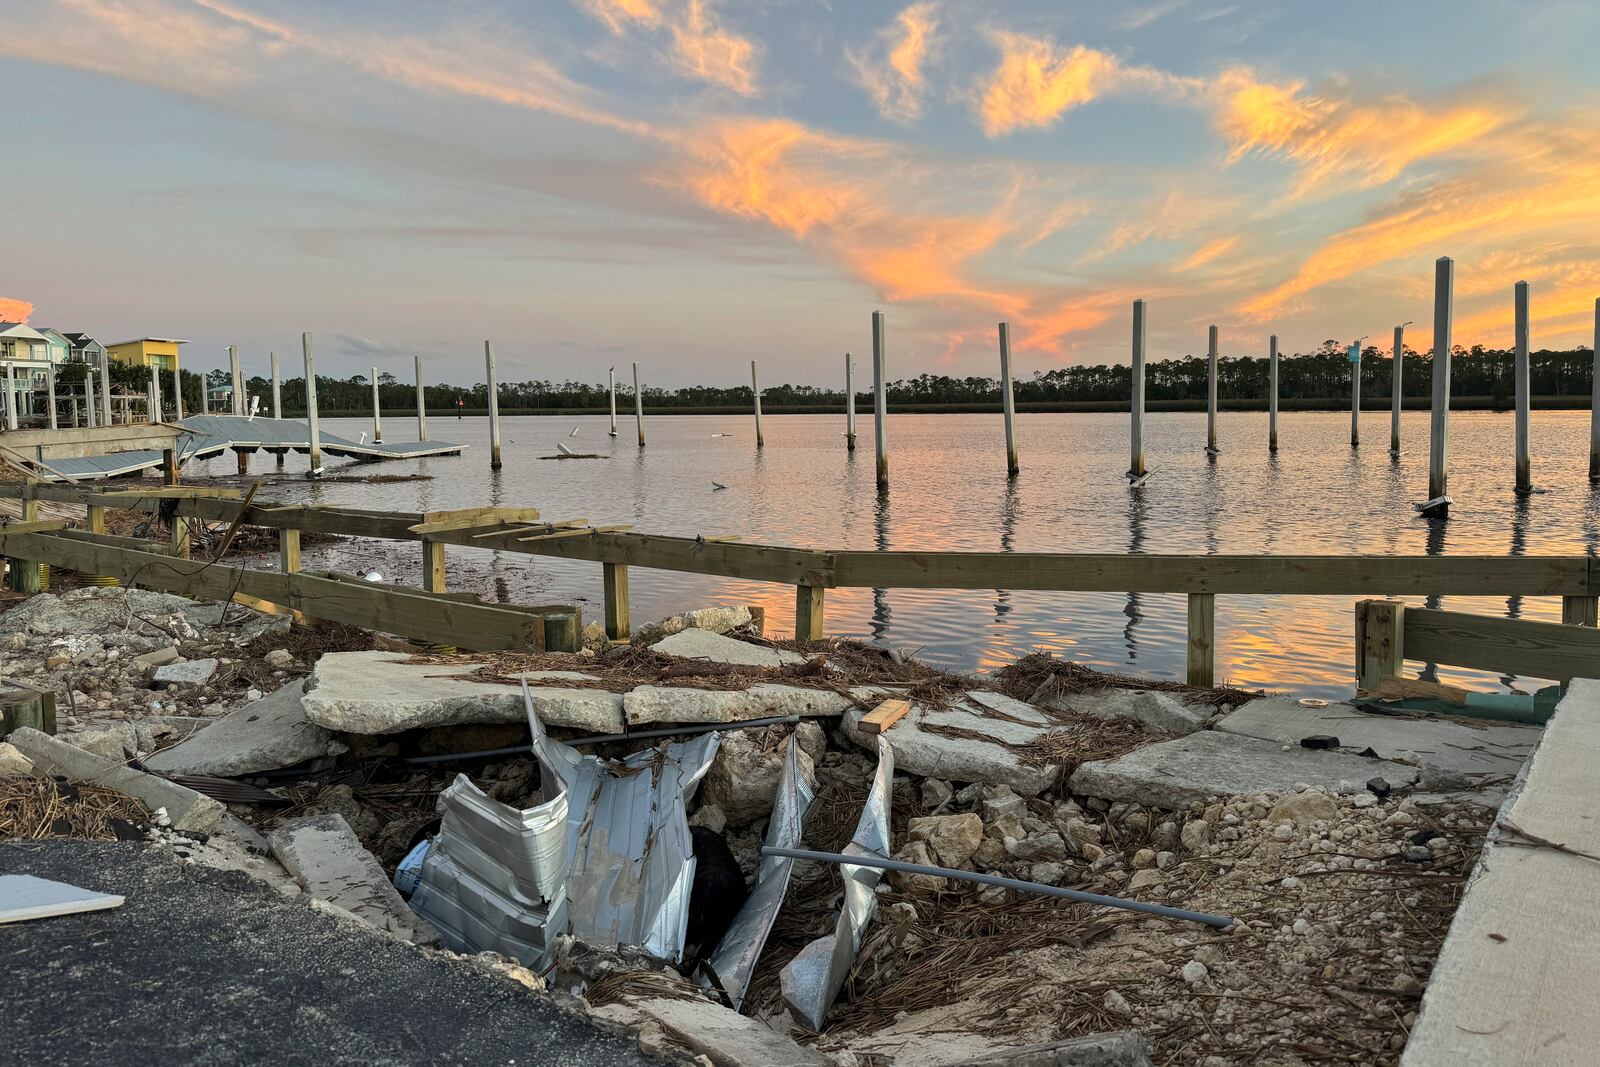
(262, 737)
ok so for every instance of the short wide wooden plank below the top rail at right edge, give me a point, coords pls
(1538, 650)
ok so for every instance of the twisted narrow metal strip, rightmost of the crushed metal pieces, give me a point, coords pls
(815, 977)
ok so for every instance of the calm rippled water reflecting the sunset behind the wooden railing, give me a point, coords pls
(950, 492)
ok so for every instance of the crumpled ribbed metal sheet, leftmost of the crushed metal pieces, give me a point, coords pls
(495, 876)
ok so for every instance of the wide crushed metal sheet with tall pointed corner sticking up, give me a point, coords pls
(633, 857)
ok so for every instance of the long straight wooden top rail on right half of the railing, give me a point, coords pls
(1329, 575)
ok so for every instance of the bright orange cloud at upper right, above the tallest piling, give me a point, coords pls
(1362, 143)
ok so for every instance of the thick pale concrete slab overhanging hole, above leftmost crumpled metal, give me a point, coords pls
(382, 693)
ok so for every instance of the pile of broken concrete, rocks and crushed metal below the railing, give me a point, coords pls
(1334, 839)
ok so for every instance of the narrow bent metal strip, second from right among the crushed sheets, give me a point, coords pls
(734, 964)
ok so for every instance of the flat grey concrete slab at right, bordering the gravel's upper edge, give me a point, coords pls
(1172, 775)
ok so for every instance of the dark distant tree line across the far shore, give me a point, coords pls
(1321, 375)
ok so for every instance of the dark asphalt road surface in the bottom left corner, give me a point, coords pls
(206, 967)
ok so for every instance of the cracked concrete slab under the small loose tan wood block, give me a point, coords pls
(967, 759)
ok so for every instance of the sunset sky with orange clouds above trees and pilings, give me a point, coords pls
(695, 185)
